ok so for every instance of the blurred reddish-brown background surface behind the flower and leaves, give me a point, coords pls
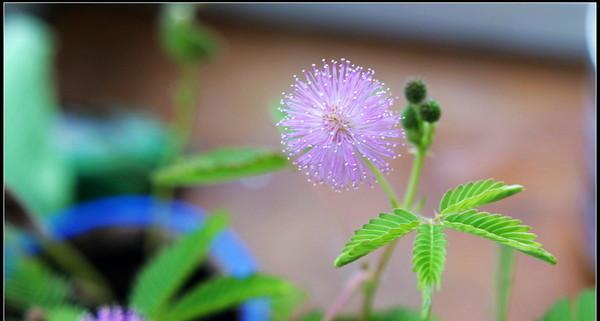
(517, 119)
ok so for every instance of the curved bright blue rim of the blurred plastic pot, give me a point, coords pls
(228, 252)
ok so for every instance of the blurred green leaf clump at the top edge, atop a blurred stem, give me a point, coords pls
(184, 38)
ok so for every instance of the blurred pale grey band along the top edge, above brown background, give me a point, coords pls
(553, 30)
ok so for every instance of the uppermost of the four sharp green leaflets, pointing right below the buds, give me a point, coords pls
(474, 194)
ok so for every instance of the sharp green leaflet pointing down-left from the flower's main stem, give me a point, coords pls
(377, 233)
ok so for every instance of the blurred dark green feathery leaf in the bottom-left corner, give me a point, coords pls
(32, 283)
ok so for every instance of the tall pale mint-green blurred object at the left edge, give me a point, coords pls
(34, 170)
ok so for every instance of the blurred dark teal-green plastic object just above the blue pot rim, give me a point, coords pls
(113, 154)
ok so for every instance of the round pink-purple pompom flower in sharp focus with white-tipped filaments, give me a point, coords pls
(336, 116)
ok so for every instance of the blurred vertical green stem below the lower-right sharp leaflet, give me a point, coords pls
(504, 275)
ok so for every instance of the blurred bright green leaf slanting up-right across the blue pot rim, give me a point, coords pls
(166, 272)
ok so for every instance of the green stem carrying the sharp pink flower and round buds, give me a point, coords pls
(409, 197)
